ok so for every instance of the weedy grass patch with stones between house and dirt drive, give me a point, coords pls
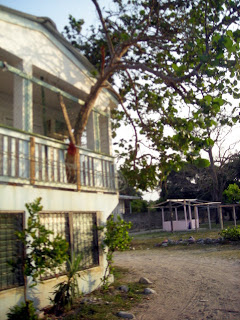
(106, 303)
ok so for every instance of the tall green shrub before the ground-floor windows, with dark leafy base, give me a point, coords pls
(40, 254)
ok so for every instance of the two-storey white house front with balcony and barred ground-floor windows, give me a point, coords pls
(37, 67)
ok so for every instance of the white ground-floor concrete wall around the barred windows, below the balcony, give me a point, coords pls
(15, 197)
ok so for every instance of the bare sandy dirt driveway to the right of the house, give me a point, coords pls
(189, 284)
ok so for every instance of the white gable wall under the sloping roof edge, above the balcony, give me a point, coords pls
(32, 43)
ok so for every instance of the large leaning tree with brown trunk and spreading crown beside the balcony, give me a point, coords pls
(170, 59)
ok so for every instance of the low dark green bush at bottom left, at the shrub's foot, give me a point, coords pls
(24, 311)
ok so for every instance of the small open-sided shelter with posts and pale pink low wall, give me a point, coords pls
(189, 207)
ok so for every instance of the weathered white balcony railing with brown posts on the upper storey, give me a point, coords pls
(36, 160)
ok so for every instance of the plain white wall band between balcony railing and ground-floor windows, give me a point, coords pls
(15, 197)
